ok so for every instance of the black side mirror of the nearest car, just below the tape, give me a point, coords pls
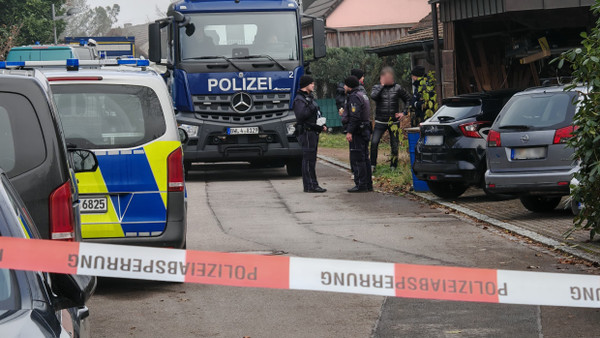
(71, 290)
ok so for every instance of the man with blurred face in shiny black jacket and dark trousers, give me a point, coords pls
(390, 99)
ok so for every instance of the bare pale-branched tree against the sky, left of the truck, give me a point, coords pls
(96, 21)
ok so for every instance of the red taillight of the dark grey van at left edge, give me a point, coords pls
(62, 219)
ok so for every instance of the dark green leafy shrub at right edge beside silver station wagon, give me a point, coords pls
(584, 63)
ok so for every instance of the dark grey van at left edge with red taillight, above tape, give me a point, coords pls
(34, 155)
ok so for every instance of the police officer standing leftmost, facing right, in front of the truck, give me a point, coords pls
(307, 128)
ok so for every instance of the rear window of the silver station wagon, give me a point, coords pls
(538, 111)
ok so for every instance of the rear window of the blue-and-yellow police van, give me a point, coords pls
(109, 116)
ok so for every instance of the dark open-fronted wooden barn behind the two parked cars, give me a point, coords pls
(499, 44)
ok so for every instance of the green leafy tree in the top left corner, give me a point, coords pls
(27, 21)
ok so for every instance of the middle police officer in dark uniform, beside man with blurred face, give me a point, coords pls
(358, 133)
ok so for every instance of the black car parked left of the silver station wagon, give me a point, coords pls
(450, 154)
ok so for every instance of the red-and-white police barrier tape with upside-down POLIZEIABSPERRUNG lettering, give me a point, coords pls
(282, 272)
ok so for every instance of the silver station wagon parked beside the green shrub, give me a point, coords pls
(527, 152)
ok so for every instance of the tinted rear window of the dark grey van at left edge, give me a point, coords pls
(22, 145)
